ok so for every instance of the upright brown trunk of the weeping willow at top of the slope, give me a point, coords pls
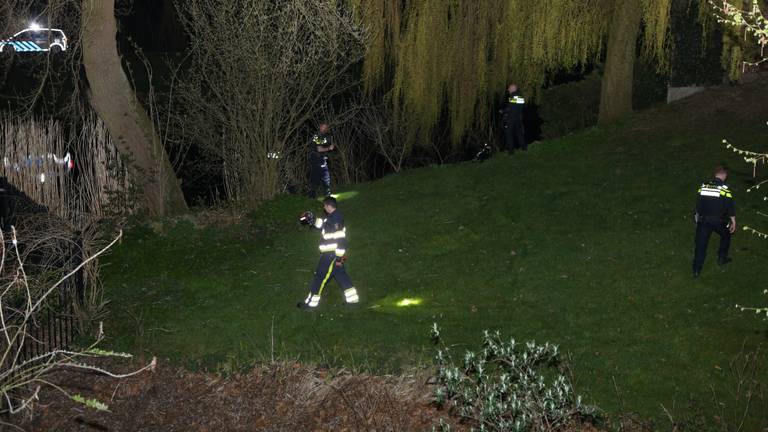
(616, 92)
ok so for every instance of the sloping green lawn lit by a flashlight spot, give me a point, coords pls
(585, 242)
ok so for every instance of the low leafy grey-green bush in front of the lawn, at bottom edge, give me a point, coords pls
(507, 387)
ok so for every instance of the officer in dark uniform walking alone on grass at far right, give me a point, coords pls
(714, 213)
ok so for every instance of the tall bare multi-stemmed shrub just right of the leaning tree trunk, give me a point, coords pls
(247, 93)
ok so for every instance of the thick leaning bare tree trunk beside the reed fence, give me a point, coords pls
(115, 102)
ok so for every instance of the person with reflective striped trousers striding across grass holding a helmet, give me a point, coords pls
(333, 249)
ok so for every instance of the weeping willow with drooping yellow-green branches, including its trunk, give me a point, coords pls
(430, 58)
